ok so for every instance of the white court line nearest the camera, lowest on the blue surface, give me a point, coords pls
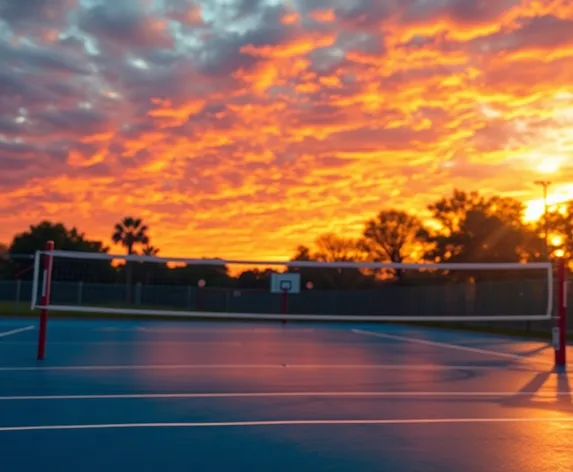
(404, 421)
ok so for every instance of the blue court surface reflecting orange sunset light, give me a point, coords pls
(198, 396)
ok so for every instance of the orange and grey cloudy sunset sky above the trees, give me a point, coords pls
(241, 128)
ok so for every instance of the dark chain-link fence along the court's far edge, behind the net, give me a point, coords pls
(495, 298)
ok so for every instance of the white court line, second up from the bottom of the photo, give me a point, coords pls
(406, 394)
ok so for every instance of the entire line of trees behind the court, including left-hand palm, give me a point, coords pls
(464, 227)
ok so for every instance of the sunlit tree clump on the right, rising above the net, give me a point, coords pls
(465, 227)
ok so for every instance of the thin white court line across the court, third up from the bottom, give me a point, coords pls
(405, 367)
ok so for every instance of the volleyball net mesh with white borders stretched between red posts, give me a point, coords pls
(241, 289)
